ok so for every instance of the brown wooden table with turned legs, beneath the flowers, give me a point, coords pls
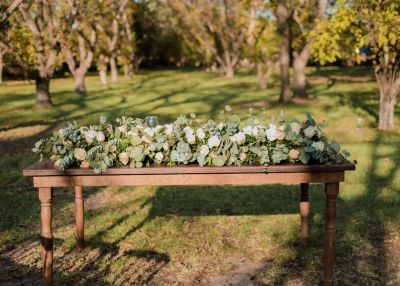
(46, 177)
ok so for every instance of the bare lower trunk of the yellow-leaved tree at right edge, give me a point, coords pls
(386, 109)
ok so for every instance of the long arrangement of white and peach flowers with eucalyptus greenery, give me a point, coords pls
(138, 142)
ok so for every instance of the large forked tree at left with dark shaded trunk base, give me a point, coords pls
(43, 25)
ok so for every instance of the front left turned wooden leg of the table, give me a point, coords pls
(45, 197)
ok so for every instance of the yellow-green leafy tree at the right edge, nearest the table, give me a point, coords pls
(371, 26)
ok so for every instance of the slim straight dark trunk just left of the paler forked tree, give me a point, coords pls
(284, 55)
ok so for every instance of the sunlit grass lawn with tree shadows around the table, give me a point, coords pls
(203, 235)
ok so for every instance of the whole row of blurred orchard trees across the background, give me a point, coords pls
(40, 38)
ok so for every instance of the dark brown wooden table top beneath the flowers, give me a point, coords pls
(46, 168)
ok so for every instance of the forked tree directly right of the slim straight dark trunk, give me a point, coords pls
(306, 14)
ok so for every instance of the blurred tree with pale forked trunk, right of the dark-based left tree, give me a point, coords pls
(78, 39)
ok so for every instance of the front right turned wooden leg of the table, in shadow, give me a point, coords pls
(331, 191)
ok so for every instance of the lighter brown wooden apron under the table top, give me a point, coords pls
(188, 179)
